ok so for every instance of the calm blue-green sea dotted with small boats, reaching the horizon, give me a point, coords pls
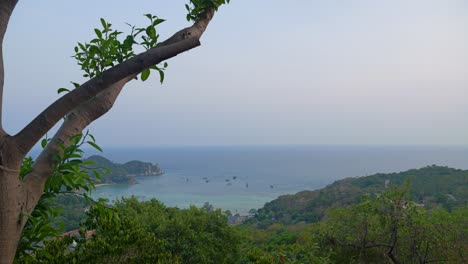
(241, 178)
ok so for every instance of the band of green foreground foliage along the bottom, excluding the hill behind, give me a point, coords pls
(385, 225)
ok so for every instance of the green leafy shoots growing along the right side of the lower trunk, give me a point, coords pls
(68, 177)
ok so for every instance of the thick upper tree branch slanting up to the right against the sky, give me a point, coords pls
(182, 41)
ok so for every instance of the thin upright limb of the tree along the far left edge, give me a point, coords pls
(6, 9)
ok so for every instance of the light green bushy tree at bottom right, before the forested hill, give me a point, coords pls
(393, 226)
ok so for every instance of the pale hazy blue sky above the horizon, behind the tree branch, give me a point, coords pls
(268, 72)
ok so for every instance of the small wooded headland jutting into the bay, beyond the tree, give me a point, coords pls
(116, 173)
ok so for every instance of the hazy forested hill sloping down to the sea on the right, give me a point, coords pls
(431, 187)
